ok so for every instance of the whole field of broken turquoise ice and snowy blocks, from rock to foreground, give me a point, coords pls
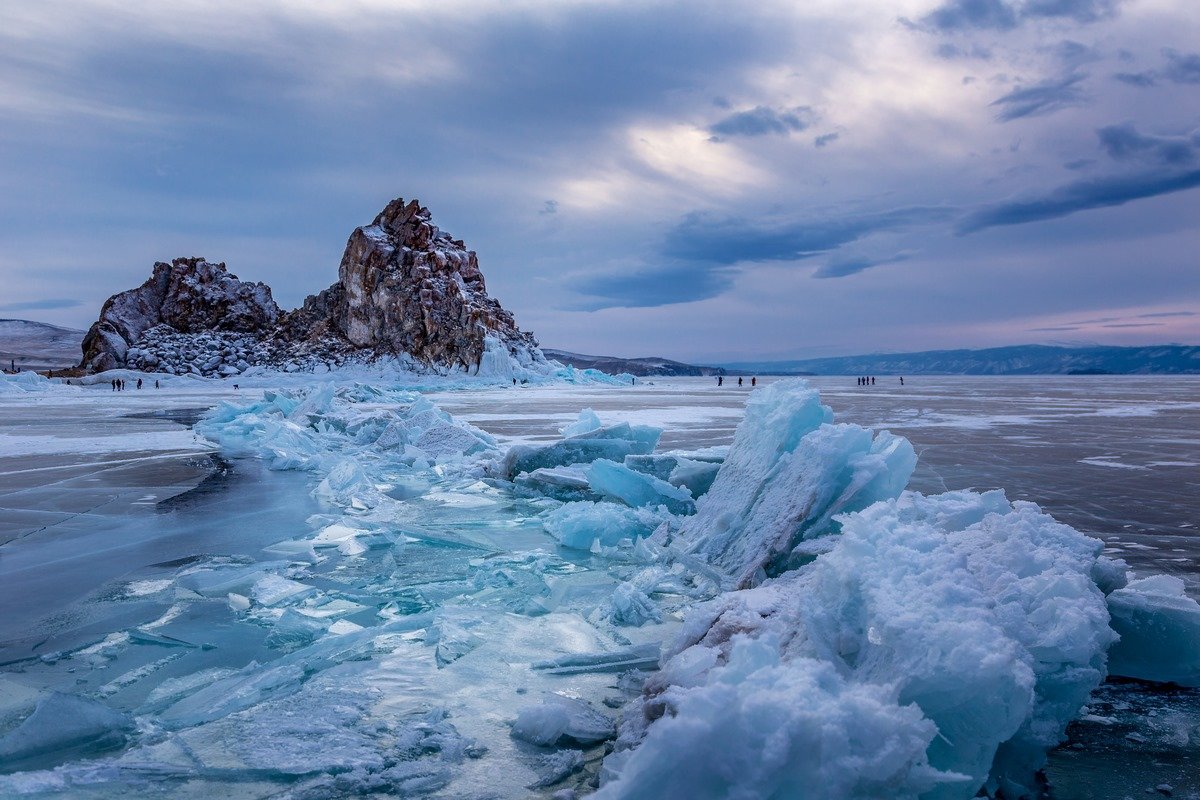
(453, 617)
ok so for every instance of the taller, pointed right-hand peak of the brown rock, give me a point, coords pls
(407, 287)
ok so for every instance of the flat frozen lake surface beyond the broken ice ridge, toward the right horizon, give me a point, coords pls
(1111, 455)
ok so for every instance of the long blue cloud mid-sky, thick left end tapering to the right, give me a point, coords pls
(713, 239)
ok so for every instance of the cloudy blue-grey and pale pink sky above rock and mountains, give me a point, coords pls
(707, 182)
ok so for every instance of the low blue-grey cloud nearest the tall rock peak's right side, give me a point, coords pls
(653, 287)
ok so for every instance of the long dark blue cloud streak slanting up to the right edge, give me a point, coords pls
(1081, 196)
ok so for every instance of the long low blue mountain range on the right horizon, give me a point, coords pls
(1018, 360)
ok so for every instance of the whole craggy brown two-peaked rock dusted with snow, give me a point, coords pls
(405, 288)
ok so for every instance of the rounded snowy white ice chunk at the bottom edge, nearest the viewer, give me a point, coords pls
(764, 729)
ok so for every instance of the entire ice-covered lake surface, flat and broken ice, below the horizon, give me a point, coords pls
(344, 590)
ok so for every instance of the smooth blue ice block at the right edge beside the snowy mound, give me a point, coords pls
(1160, 629)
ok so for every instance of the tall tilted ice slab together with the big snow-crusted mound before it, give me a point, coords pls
(977, 628)
